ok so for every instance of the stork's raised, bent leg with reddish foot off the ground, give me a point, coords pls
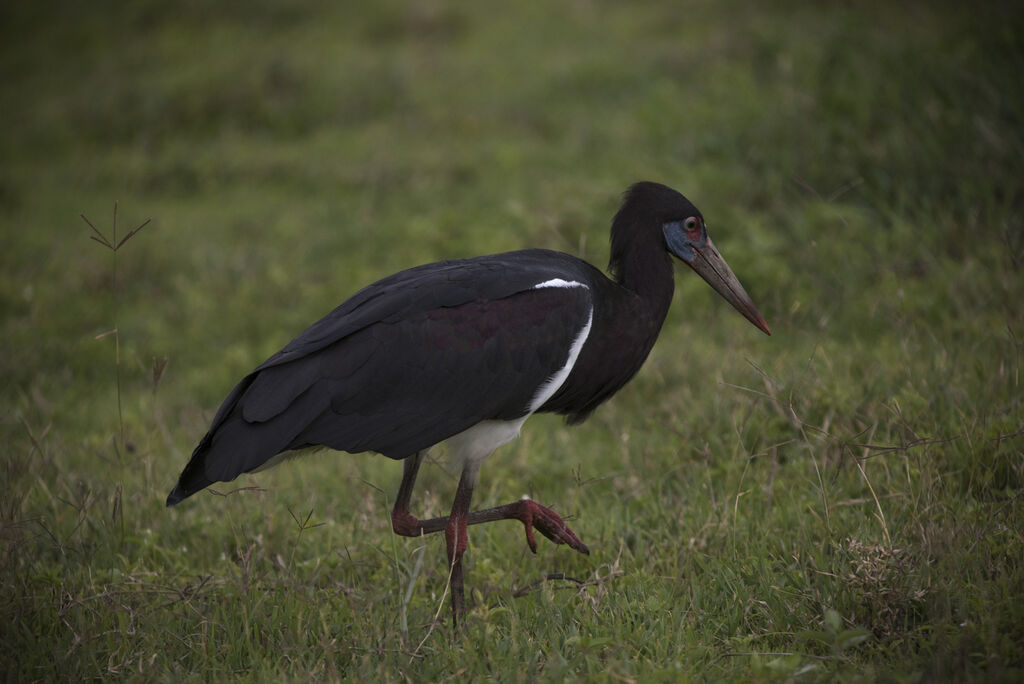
(532, 515)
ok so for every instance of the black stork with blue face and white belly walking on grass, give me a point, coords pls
(463, 353)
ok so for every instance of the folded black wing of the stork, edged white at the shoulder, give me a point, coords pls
(404, 365)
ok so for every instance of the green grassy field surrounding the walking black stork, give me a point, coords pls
(842, 501)
